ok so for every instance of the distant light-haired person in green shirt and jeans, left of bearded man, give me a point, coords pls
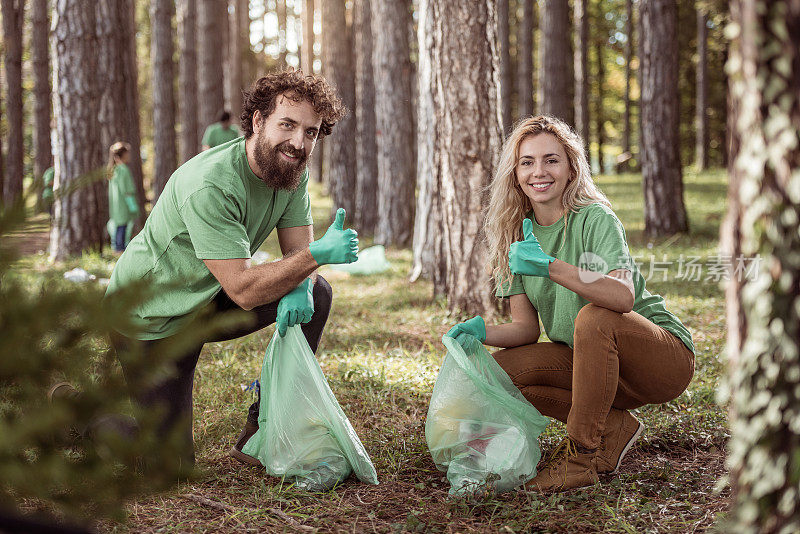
(122, 206)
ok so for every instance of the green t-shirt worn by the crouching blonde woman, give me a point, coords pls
(594, 240)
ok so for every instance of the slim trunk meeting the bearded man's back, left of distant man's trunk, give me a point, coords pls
(187, 75)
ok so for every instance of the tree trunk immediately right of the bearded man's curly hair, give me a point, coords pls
(337, 57)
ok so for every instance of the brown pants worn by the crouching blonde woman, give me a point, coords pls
(619, 361)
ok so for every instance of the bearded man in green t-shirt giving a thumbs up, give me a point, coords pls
(215, 211)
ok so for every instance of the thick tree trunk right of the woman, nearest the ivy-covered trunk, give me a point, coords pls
(664, 210)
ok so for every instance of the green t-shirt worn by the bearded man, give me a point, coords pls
(213, 207)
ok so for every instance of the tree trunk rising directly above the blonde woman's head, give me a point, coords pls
(556, 81)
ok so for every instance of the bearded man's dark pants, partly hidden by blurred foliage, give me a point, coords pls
(173, 396)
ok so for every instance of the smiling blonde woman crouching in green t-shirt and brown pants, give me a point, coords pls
(559, 253)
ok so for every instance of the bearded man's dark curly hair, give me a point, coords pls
(296, 86)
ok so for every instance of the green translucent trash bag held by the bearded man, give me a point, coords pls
(303, 434)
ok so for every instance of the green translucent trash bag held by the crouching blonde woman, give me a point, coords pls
(480, 429)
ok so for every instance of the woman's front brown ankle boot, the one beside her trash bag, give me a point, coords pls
(568, 467)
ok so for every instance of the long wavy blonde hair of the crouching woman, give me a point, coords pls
(508, 204)
